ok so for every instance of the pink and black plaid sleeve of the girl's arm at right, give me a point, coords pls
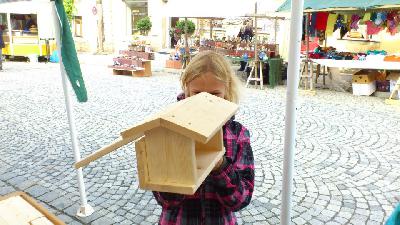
(234, 183)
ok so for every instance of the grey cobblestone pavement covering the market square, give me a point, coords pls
(347, 157)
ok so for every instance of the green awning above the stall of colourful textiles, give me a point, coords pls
(318, 5)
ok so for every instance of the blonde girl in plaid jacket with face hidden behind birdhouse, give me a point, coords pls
(229, 187)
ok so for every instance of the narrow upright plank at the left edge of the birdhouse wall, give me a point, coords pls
(141, 159)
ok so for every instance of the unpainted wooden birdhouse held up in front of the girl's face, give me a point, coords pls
(179, 146)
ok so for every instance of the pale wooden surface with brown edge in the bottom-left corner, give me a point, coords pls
(18, 208)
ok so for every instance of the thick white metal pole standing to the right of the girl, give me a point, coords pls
(290, 121)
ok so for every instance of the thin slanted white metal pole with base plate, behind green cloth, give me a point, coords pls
(85, 209)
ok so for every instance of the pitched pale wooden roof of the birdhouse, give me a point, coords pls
(198, 117)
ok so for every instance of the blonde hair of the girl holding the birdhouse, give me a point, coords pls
(210, 61)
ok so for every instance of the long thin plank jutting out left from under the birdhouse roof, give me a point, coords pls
(106, 150)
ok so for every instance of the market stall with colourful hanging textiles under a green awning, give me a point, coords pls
(357, 29)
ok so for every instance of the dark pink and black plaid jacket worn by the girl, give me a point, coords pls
(222, 193)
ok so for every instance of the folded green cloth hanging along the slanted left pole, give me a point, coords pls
(69, 58)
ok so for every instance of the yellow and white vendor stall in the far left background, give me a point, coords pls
(29, 28)
